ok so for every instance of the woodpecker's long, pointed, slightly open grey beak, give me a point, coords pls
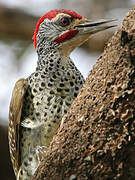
(91, 27)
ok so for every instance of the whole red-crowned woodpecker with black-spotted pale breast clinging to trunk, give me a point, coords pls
(40, 101)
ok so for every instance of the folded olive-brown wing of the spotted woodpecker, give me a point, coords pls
(14, 121)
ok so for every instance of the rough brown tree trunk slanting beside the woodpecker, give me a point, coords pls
(97, 137)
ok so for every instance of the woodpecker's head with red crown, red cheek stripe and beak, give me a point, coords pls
(65, 29)
